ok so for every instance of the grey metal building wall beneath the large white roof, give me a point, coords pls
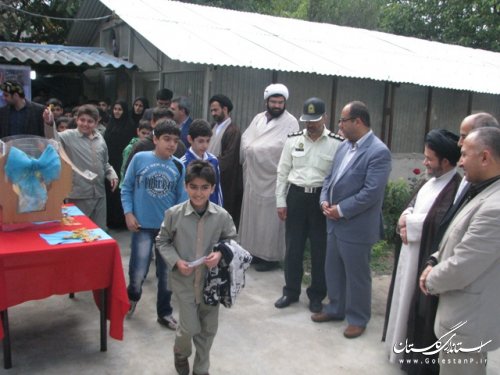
(245, 86)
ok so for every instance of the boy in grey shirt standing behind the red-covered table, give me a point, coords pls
(87, 150)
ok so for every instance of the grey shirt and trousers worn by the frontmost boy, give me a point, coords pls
(186, 235)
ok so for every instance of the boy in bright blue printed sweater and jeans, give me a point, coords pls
(153, 183)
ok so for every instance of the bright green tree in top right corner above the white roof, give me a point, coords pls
(470, 23)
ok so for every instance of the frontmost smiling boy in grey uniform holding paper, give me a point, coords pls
(188, 234)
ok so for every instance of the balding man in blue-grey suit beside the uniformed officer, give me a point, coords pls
(351, 200)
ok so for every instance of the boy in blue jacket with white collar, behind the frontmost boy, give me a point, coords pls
(199, 138)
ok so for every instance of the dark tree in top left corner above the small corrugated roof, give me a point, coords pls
(30, 21)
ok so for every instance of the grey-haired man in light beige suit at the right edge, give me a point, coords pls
(465, 272)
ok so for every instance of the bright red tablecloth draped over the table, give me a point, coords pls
(31, 269)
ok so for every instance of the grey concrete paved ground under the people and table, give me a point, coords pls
(61, 336)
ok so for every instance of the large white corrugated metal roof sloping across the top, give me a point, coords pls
(215, 36)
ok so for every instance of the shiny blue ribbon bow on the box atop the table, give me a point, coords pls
(32, 175)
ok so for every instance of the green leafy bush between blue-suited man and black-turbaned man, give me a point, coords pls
(396, 198)
